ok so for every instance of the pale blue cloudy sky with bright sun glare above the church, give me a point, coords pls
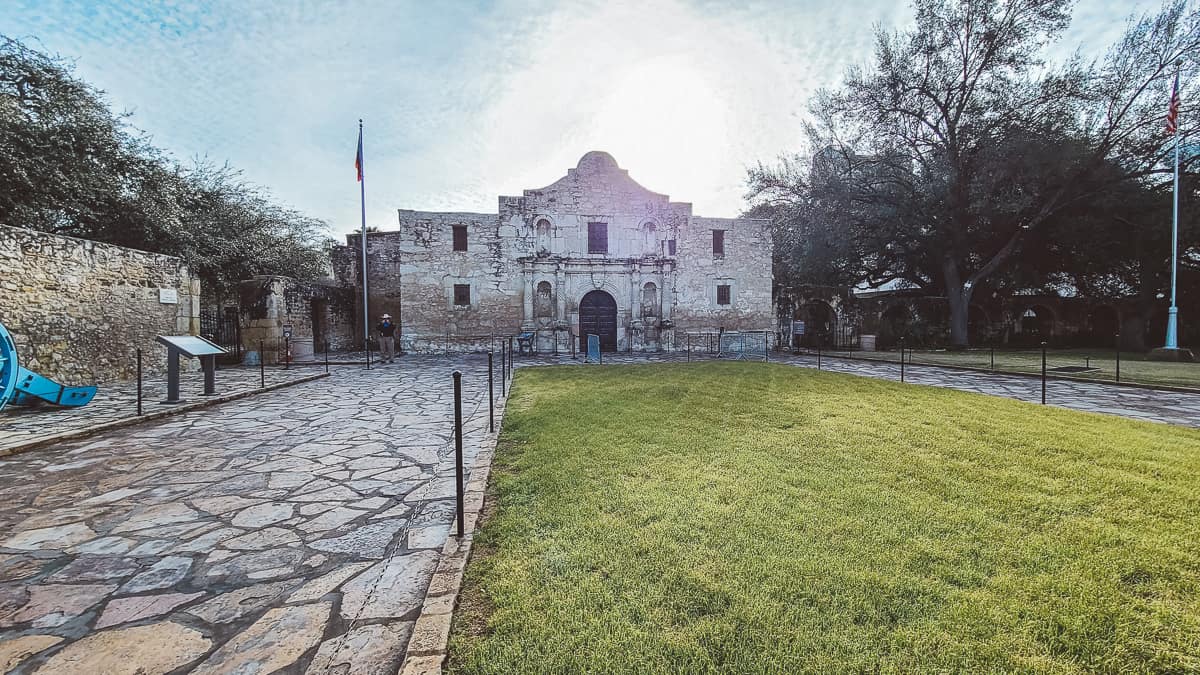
(463, 101)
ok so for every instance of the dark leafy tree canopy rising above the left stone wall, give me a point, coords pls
(73, 166)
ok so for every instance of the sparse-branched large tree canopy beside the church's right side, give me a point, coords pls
(961, 159)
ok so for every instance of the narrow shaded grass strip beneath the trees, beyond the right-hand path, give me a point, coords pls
(1135, 367)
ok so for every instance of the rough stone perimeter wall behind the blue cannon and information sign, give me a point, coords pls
(79, 310)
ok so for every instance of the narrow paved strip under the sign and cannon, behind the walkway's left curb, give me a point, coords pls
(118, 402)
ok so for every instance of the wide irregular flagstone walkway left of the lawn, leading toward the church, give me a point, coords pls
(295, 531)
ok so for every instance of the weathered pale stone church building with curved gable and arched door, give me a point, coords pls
(595, 253)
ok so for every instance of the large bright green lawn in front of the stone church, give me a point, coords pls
(761, 518)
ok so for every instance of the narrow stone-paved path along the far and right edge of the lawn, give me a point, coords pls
(1151, 405)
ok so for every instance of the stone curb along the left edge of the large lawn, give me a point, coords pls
(429, 646)
